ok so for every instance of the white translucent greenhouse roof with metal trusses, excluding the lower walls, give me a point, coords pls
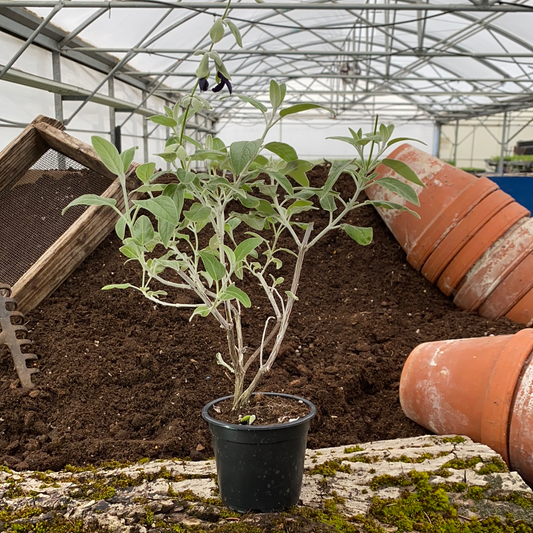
(430, 61)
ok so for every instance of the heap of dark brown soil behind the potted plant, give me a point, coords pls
(122, 379)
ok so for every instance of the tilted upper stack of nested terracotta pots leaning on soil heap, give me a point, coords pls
(474, 241)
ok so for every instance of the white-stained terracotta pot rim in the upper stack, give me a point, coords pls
(495, 265)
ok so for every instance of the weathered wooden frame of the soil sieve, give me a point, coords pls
(85, 234)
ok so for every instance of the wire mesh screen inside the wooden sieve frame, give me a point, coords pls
(30, 211)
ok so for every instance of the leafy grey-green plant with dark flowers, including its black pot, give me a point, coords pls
(184, 236)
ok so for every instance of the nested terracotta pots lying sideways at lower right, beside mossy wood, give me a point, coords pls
(476, 387)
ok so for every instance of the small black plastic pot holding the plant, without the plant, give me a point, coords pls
(260, 468)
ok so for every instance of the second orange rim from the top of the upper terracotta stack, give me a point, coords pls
(459, 236)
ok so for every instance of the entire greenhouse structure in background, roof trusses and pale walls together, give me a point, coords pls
(456, 75)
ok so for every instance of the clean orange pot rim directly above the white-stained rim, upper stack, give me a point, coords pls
(465, 259)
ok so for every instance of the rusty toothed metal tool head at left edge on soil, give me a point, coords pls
(11, 324)
